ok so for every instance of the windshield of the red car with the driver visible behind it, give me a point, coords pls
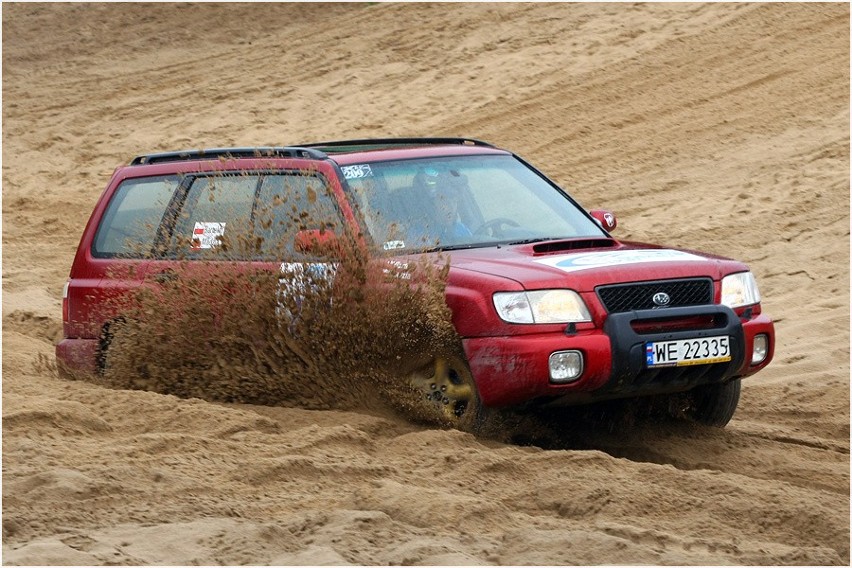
(462, 202)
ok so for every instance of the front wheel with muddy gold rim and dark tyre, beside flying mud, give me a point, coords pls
(449, 391)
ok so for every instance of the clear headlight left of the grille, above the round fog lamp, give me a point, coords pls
(541, 306)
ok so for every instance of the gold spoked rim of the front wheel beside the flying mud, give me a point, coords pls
(447, 385)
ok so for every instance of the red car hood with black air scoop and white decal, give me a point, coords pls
(584, 268)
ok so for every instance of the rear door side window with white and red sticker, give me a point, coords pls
(216, 217)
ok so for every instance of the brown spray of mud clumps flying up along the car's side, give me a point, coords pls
(337, 331)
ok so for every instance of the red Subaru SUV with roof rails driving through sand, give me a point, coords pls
(550, 308)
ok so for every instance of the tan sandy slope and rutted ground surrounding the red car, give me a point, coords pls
(721, 127)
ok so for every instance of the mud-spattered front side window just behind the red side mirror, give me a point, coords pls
(291, 202)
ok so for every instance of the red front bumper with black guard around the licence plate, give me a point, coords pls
(514, 369)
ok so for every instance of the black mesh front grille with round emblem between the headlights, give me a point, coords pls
(640, 295)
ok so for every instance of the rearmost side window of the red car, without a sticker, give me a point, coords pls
(129, 226)
